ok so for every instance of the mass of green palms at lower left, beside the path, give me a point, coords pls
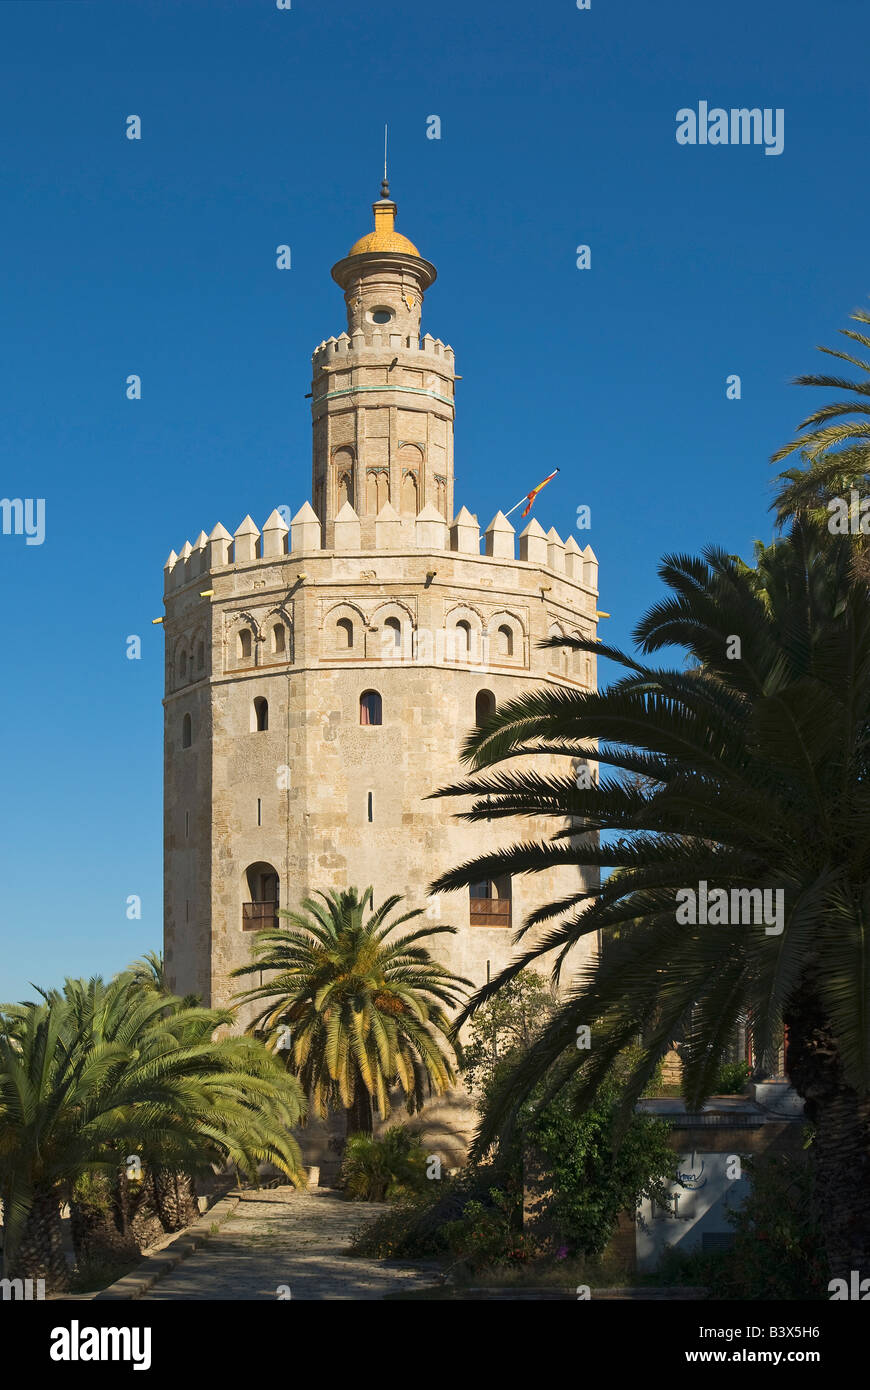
(99, 1072)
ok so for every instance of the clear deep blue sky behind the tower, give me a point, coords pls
(158, 258)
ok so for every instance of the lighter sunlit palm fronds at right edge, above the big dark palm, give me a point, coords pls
(836, 450)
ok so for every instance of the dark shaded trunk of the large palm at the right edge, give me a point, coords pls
(842, 1146)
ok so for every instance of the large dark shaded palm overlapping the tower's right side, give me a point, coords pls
(743, 772)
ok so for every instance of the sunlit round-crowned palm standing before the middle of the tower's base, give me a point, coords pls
(362, 1014)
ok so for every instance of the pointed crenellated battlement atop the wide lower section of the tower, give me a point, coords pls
(427, 533)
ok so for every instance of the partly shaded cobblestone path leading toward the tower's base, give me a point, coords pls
(299, 1239)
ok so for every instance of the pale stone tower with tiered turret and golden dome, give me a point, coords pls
(322, 676)
